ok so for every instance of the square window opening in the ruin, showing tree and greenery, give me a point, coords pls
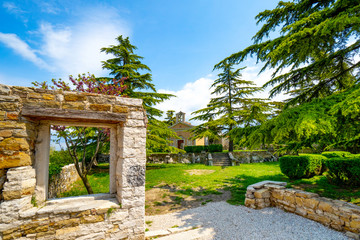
(65, 174)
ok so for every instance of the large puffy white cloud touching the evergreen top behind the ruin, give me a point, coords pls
(76, 49)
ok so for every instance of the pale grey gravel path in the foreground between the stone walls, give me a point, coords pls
(239, 222)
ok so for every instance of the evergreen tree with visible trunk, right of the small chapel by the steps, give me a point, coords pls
(224, 110)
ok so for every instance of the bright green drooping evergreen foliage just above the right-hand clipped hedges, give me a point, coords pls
(318, 125)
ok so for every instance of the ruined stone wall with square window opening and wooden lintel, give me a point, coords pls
(25, 118)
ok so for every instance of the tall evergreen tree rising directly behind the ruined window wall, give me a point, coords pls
(126, 63)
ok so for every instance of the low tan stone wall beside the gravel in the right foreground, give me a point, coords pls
(339, 215)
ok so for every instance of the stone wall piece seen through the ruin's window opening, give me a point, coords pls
(63, 181)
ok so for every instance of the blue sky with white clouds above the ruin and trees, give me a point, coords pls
(180, 40)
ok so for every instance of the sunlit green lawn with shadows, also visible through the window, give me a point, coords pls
(234, 179)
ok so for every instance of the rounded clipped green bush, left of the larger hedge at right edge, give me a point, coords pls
(303, 166)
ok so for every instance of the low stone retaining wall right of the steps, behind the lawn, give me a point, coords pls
(254, 156)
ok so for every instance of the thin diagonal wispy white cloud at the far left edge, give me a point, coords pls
(22, 48)
